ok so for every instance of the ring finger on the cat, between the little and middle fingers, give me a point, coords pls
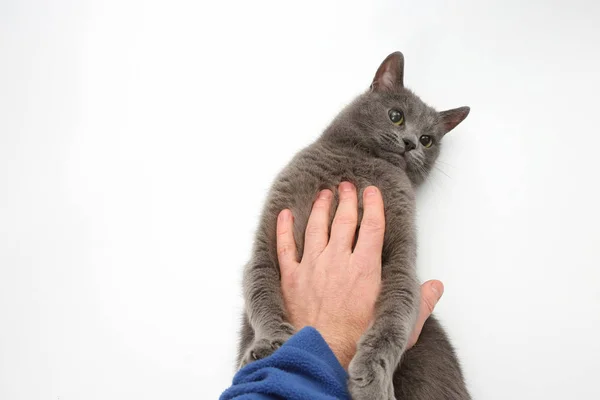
(317, 228)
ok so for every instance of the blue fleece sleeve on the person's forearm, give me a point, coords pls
(303, 368)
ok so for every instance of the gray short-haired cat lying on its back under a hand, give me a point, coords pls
(389, 138)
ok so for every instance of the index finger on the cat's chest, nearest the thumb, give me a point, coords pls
(372, 226)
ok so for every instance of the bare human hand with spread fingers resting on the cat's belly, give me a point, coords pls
(333, 288)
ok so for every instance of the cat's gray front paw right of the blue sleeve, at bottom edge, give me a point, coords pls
(370, 379)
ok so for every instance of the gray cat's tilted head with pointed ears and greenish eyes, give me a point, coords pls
(393, 123)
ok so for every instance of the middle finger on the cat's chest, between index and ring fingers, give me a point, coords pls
(343, 229)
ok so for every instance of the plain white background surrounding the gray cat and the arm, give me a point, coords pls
(138, 139)
